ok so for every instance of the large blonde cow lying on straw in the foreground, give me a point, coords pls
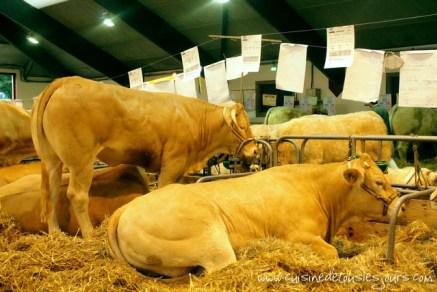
(179, 227)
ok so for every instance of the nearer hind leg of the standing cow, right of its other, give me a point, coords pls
(77, 194)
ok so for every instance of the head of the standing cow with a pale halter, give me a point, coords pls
(236, 118)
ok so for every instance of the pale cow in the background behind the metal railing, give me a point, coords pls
(324, 151)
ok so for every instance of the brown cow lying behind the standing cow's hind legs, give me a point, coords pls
(111, 188)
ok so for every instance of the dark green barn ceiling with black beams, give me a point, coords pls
(151, 33)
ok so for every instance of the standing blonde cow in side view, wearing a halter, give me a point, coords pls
(76, 120)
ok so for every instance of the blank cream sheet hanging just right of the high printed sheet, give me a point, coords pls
(363, 78)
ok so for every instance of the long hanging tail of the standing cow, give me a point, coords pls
(42, 146)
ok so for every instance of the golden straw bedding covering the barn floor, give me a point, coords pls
(64, 263)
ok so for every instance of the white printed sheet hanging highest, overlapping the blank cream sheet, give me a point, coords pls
(340, 46)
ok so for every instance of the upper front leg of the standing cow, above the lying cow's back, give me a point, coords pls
(172, 169)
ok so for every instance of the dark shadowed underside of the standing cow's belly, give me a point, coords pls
(148, 160)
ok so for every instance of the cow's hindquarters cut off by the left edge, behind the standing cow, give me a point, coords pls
(15, 137)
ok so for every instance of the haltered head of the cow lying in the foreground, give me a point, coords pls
(371, 194)
